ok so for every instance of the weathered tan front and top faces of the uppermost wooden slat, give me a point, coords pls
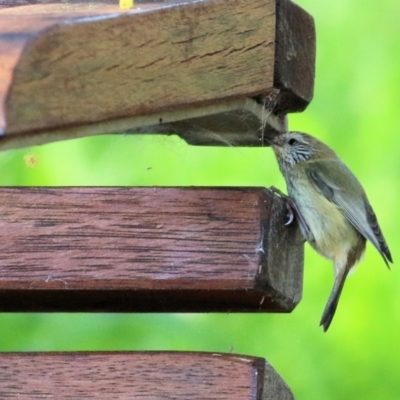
(94, 62)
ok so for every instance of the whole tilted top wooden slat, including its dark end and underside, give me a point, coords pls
(75, 69)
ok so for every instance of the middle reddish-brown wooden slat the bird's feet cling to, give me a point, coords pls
(147, 249)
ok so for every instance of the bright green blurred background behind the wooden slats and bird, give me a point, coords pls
(355, 110)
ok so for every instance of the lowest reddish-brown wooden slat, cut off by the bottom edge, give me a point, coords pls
(139, 375)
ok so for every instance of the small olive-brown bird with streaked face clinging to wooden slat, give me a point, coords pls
(331, 206)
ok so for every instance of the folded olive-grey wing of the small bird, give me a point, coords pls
(331, 177)
